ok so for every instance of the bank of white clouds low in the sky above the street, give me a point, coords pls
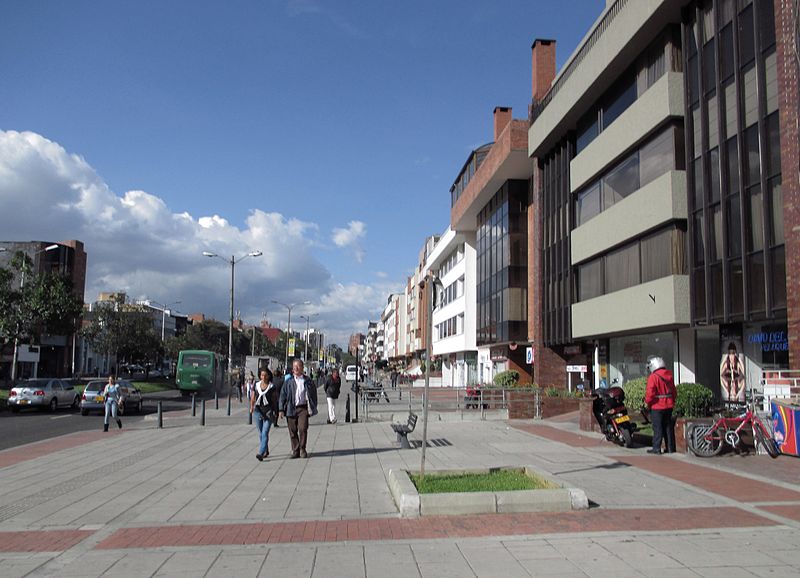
(136, 243)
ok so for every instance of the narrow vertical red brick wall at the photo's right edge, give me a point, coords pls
(786, 33)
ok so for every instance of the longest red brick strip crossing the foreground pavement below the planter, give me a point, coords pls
(629, 520)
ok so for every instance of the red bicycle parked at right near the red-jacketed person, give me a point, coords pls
(706, 441)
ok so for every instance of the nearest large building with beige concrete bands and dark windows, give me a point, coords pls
(660, 219)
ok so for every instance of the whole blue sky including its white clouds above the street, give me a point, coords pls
(325, 133)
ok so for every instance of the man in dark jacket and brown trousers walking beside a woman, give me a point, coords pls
(298, 401)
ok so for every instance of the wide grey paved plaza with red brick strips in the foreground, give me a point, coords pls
(189, 500)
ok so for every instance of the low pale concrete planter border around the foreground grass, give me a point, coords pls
(411, 504)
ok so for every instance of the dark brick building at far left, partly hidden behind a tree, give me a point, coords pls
(54, 355)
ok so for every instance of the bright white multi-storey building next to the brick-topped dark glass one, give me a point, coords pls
(453, 262)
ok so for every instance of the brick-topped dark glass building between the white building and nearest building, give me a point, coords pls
(489, 207)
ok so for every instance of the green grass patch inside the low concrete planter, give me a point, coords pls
(494, 481)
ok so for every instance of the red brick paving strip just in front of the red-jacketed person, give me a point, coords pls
(712, 480)
